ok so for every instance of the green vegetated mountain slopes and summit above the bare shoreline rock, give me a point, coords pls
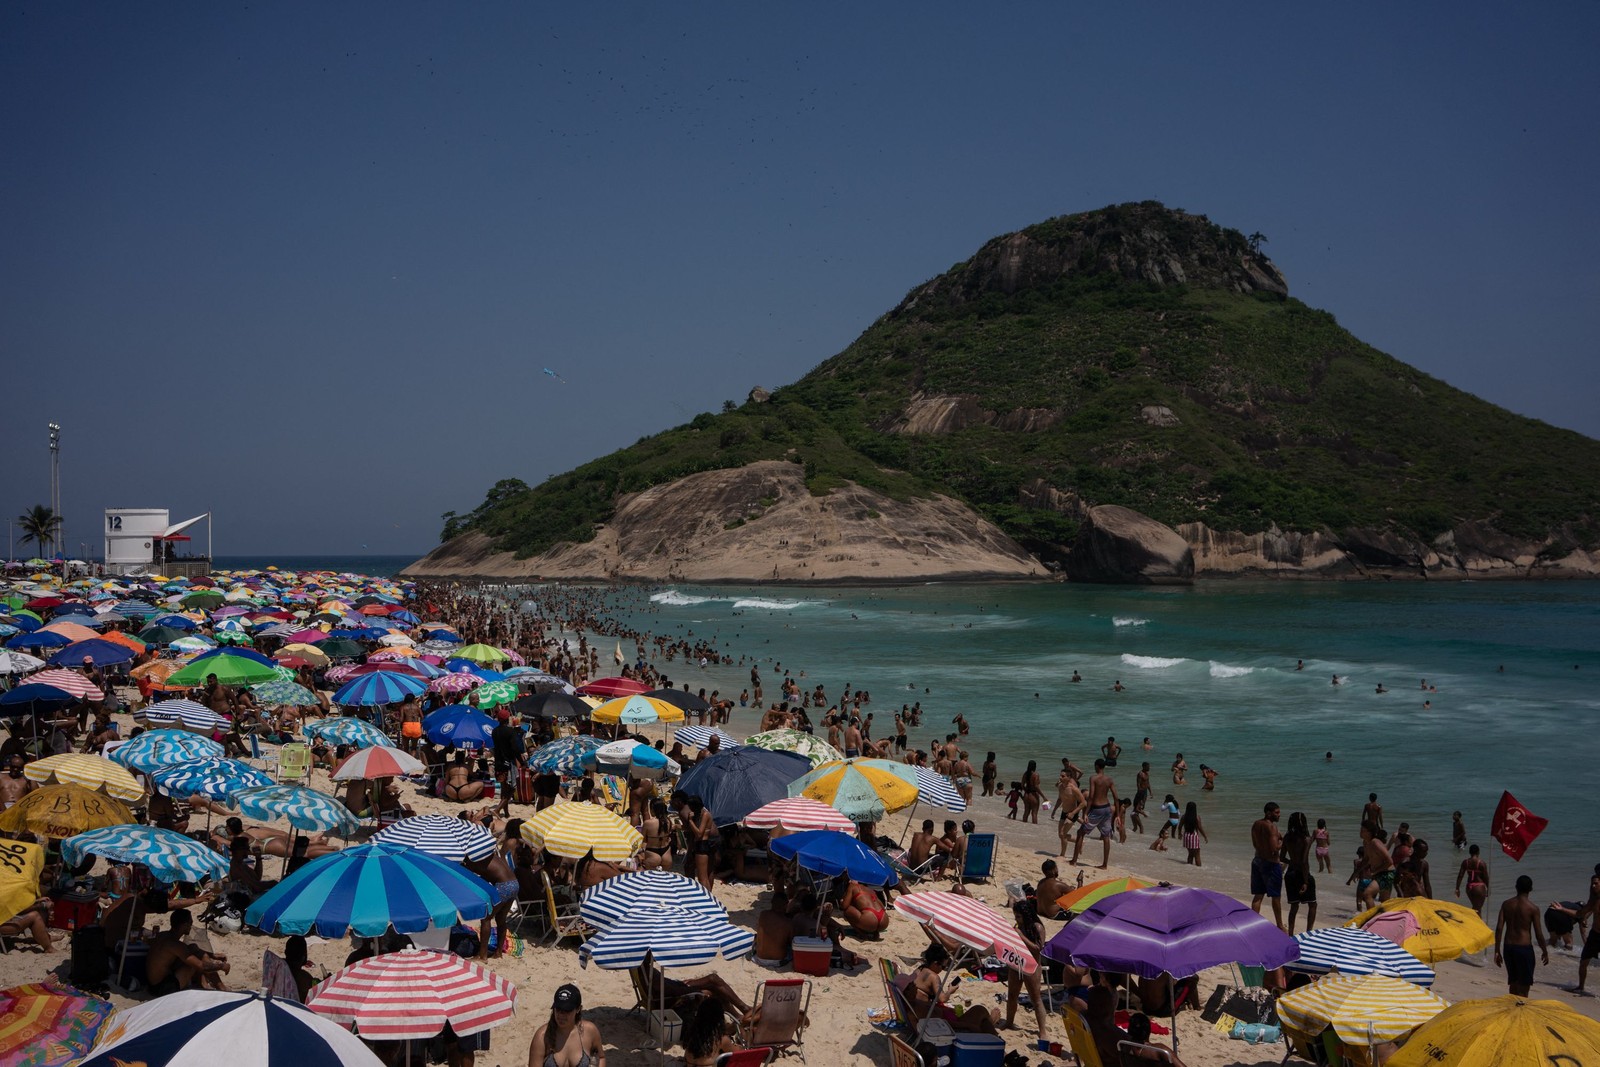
(1052, 343)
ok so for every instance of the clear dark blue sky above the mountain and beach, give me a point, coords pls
(305, 265)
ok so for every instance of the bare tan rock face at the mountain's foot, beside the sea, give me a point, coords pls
(761, 524)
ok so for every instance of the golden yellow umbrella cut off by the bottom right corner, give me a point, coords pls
(1503, 1031)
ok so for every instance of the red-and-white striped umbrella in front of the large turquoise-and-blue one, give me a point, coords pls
(410, 996)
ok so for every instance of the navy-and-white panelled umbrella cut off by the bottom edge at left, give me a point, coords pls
(199, 1028)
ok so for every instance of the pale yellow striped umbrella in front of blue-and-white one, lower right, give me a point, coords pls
(1362, 1009)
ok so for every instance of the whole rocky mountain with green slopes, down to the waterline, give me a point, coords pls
(1126, 394)
